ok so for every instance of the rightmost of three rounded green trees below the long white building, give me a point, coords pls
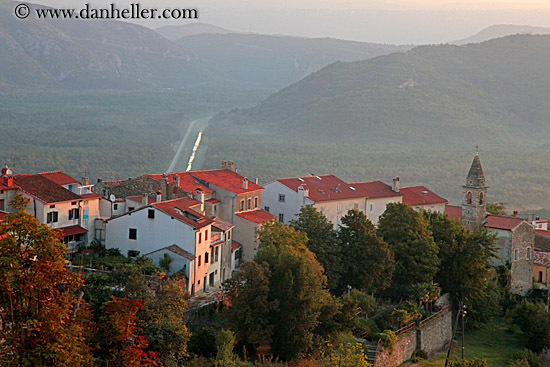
(414, 249)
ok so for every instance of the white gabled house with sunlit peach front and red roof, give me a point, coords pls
(155, 229)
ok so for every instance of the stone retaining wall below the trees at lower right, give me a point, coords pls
(433, 336)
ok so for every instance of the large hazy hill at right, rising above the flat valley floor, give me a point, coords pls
(495, 92)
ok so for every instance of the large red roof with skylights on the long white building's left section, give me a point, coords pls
(322, 188)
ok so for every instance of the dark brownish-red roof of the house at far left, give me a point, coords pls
(44, 189)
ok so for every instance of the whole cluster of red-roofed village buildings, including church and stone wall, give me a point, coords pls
(204, 226)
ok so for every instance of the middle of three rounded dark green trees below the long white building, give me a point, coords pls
(369, 260)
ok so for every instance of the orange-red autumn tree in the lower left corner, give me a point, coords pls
(42, 315)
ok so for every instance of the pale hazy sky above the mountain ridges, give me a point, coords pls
(396, 21)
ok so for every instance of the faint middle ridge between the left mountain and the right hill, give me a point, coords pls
(276, 61)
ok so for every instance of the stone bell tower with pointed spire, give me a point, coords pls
(474, 201)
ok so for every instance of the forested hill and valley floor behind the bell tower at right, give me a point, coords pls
(418, 115)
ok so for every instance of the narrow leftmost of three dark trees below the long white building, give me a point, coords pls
(322, 241)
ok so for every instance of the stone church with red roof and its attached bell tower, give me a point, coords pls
(515, 237)
